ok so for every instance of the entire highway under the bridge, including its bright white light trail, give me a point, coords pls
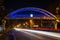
(27, 34)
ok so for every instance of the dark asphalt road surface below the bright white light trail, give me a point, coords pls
(27, 35)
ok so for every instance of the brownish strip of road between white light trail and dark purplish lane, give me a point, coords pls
(40, 36)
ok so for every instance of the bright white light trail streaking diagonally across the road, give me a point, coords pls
(52, 34)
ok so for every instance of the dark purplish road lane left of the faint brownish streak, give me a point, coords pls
(18, 35)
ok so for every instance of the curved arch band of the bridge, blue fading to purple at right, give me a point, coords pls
(12, 14)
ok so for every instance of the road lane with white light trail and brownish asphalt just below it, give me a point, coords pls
(41, 34)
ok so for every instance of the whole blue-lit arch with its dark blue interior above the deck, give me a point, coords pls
(25, 13)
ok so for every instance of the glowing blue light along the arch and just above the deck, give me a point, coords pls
(14, 13)
